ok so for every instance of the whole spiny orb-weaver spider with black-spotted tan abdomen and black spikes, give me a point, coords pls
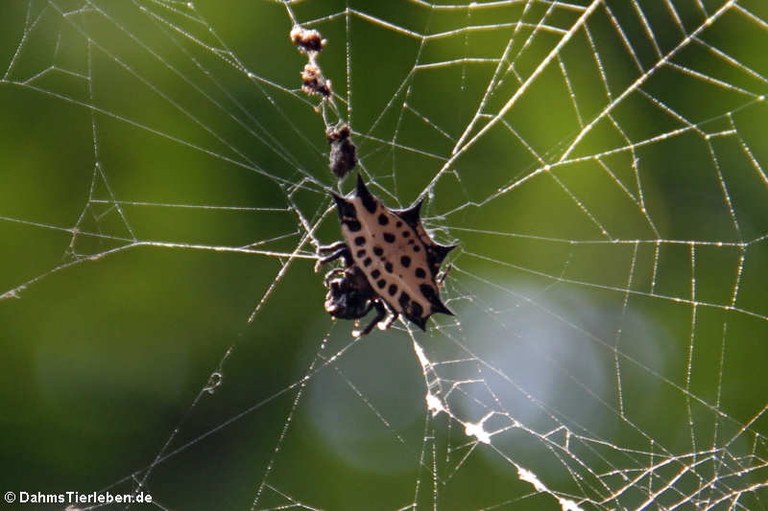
(390, 263)
